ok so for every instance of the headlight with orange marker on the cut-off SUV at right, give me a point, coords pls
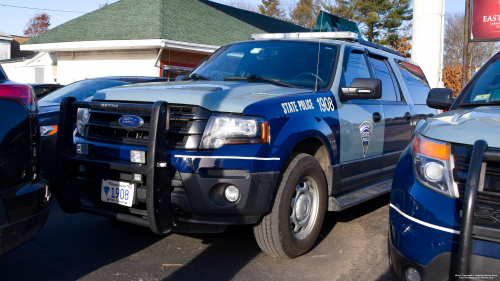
(433, 166)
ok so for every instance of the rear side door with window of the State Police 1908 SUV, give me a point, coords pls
(397, 114)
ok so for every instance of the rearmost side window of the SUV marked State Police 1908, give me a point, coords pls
(415, 82)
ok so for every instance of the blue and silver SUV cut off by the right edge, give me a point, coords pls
(445, 200)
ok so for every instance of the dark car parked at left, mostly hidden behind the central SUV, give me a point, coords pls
(81, 90)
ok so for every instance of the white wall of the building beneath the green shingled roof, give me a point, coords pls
(75, 66)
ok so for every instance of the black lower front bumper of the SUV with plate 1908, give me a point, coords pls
(195, 198)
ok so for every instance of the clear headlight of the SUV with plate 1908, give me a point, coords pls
(224, 129)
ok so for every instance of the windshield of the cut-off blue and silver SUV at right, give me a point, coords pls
(486, 88)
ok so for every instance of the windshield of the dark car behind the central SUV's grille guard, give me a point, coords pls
(81, 90)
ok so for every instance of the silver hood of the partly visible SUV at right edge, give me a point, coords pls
(465, 126)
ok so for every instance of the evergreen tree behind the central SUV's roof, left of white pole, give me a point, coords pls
(380, 19)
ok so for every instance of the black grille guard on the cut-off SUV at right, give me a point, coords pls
(475, 183)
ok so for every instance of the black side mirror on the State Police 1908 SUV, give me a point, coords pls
(362, 89)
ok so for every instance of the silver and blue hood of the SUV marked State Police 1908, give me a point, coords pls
(223, 96)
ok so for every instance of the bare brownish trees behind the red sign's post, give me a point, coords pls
(479, 52)
